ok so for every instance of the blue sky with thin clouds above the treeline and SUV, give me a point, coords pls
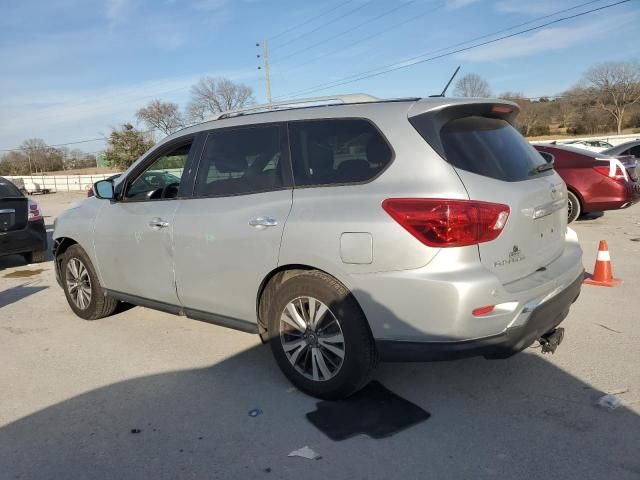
(74, 69)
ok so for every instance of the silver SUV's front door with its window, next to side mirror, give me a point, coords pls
(133, 236)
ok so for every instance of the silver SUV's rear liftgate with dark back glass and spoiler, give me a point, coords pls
(496, 164)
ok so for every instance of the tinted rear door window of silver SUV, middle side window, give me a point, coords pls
(243, 160)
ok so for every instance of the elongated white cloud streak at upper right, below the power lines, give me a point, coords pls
(547, 40)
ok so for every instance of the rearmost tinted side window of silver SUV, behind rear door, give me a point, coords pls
(325, 152)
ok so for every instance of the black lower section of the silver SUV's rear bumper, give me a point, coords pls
(543, 318)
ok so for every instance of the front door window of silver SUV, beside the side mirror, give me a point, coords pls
(161, 180)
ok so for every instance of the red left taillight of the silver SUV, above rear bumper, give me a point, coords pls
(448, 223)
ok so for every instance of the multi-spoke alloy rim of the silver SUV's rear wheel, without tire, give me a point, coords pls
(312, 338)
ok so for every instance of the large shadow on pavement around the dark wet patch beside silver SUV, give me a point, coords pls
(512, 418)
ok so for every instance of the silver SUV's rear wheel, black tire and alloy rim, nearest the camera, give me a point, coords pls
(320, 337)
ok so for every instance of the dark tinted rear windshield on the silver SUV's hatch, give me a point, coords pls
(490, 147)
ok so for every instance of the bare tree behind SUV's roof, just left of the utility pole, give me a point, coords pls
(213, 95)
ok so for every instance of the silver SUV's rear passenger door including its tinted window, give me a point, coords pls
(227, 238)
